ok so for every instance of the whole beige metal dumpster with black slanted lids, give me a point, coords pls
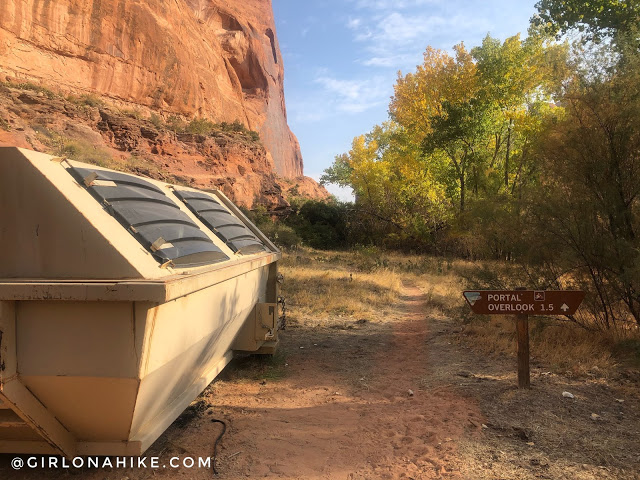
(121, 299)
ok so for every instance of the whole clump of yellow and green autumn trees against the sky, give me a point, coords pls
(459, 124)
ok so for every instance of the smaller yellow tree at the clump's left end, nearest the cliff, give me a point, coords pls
(398, 200)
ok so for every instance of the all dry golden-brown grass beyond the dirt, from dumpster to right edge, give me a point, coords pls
(320, 292)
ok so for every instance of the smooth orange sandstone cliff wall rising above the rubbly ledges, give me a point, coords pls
(217, 59)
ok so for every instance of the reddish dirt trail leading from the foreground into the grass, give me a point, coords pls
(345, 409)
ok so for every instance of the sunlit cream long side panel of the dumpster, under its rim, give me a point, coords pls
(191, 338)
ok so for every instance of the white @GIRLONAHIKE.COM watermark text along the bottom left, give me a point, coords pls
(51, 462)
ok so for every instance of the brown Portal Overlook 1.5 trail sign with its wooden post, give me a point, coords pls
(522, 303)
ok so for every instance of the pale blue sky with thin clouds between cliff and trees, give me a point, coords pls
(341, 59)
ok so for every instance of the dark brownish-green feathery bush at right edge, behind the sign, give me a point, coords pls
(589, 203)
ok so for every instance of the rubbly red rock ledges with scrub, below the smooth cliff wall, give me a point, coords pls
(91, 131)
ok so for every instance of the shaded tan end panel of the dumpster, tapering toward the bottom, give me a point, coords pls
(80, 360)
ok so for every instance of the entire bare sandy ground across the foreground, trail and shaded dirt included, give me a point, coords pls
(399, 398)
